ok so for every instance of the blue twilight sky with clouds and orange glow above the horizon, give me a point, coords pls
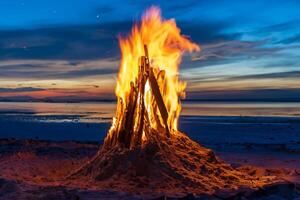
(68, 50)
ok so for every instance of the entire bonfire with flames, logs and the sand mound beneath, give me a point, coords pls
(144, 151)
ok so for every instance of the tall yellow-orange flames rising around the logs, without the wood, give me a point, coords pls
(165, 47)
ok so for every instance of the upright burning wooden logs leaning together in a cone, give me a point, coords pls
(136, 121)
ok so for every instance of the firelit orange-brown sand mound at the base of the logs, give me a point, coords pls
(174, 166)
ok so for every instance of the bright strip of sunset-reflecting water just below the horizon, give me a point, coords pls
(103, 111)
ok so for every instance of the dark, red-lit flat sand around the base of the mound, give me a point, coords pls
(31, 169)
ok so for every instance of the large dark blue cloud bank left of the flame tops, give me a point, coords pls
(78, 42)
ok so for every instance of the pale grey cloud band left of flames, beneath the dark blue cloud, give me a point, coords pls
(56, 69)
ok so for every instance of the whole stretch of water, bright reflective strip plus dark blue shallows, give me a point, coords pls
(206, 121)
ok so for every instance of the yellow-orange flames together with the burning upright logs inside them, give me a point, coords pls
(144, 79)
